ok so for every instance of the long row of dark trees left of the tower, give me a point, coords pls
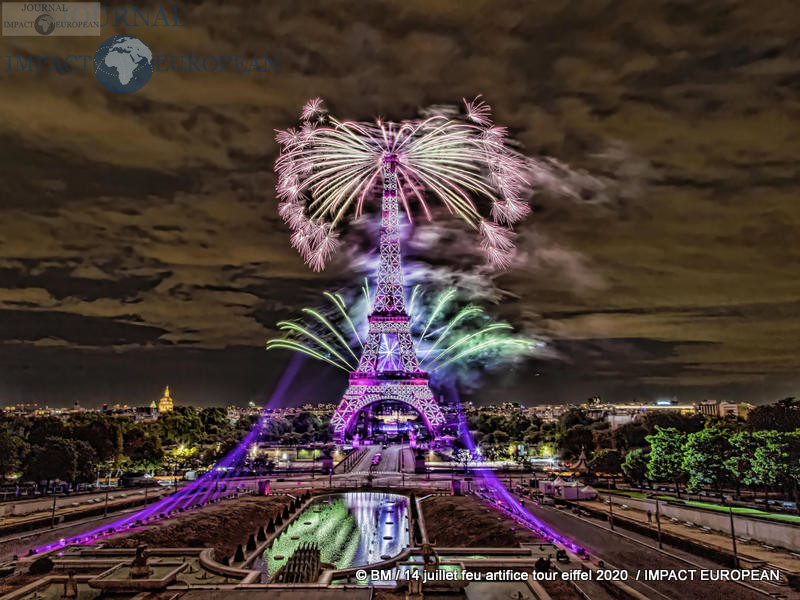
(89, 445)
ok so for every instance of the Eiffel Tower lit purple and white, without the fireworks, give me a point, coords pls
(388, 369)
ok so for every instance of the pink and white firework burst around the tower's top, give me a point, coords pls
(329, 170)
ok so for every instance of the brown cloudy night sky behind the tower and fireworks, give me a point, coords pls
(140, 244)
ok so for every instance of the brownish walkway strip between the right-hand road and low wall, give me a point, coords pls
(753, 550)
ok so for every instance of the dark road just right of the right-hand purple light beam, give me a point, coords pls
(624, 552)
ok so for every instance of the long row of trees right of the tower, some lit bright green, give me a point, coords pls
(761, 451)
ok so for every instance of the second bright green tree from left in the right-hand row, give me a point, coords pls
(704, 458)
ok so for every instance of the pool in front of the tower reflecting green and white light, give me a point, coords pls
(350, 529)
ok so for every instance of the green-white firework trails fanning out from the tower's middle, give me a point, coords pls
(448, 337)
